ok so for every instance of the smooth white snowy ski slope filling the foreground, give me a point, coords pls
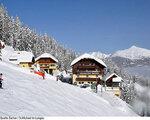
(26, 94)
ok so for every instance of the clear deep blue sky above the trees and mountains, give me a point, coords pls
(87, 25)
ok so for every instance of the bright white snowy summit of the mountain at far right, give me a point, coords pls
(133, 53)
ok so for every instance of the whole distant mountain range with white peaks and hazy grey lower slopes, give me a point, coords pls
(134, 60)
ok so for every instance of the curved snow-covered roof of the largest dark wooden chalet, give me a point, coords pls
(88, 56)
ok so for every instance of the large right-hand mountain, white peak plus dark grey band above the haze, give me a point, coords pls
(131, 57)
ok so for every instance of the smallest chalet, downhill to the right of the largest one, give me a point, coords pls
(113, 82)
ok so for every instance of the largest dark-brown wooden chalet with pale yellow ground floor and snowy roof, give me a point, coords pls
(86, 69)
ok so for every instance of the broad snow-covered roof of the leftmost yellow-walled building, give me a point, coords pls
(21, 56)
